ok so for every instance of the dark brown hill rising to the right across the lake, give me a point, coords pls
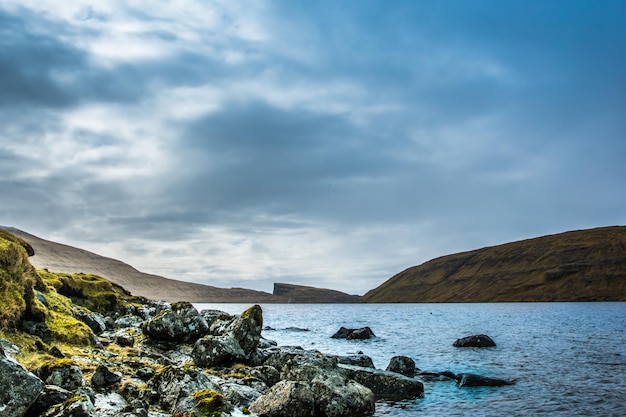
(582, 265)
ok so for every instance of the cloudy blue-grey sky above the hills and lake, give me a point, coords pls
(327, 143)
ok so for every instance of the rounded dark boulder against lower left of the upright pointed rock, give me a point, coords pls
(217, 351)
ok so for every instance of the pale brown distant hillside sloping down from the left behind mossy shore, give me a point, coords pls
(63, 258)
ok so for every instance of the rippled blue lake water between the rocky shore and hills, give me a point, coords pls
(569, 359)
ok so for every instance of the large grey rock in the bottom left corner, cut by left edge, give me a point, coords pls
(19, 387)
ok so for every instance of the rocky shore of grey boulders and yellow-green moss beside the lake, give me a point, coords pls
(77, 345)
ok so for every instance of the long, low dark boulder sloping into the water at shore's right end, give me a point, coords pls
(384, 384)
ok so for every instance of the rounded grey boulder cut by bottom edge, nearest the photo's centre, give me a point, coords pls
(285, 399)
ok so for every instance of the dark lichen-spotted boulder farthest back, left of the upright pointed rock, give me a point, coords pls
(180, 323)
